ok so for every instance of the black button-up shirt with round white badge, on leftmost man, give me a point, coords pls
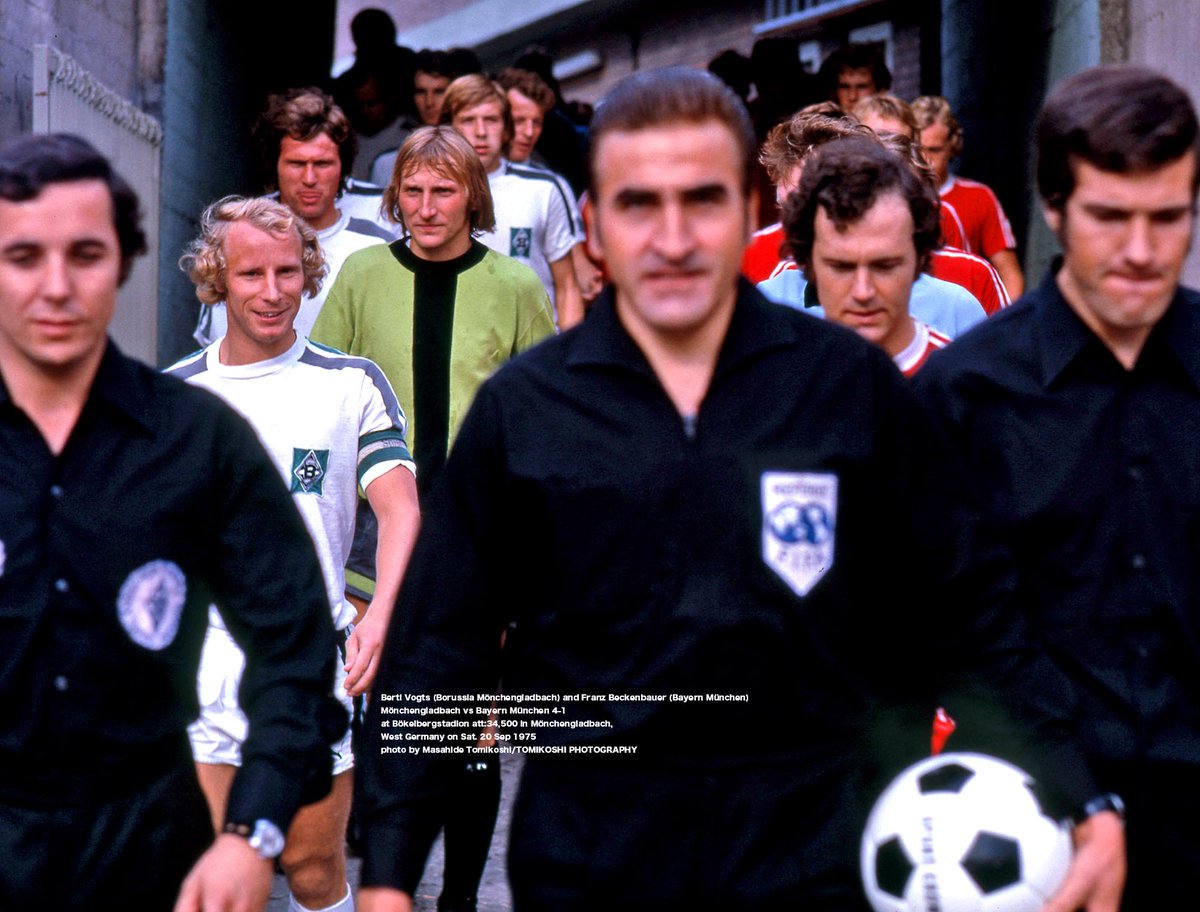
(161, 501)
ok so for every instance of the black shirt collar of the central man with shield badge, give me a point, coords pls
(755, 327)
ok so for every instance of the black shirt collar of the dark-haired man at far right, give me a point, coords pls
(1063, 335)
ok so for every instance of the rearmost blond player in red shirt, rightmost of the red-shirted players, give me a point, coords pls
(986, 226)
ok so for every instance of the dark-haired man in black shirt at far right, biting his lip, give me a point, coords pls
(1081, 413)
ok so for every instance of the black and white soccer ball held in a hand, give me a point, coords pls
(963, 833)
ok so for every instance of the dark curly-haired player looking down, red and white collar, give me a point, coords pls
(862, 226)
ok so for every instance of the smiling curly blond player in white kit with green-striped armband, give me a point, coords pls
(333, 425)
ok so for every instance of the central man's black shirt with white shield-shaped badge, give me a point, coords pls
(632, 551)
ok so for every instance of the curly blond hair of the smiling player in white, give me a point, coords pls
(206, 263)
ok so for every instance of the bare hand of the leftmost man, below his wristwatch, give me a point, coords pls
(230, 878)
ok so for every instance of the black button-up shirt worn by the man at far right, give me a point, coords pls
(1093, 475)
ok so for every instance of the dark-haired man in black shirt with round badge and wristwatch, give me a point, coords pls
(129, 501)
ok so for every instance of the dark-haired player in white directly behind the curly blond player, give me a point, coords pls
(308, 146)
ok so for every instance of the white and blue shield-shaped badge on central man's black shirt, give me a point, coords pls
(800, 518)
